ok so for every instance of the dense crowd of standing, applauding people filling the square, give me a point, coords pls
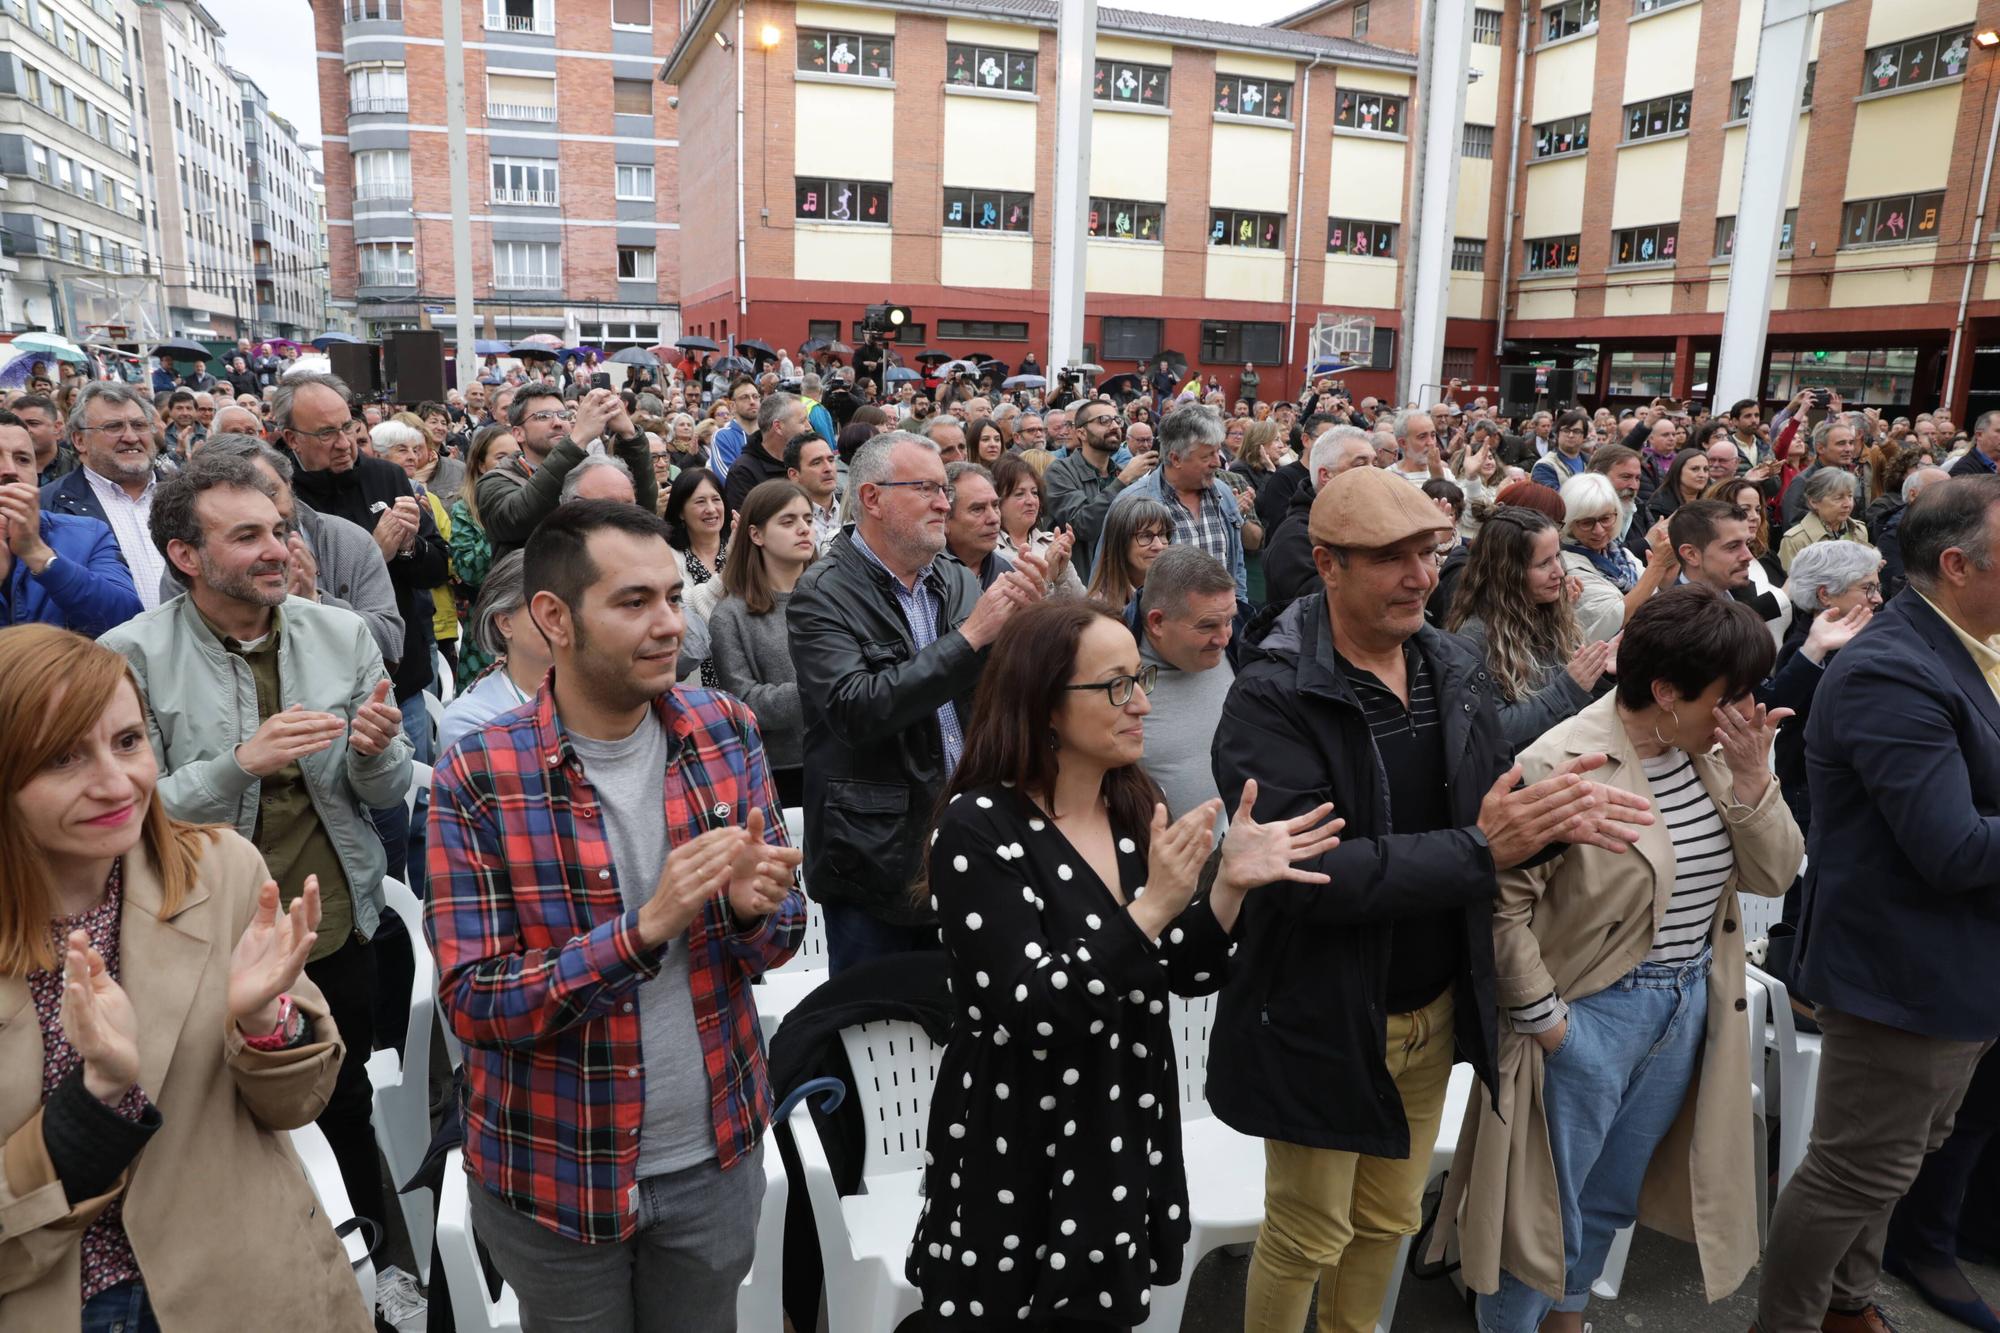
(1415, 736)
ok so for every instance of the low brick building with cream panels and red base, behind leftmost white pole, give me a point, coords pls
(1245, 181)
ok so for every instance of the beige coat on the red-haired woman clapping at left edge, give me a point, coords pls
(219, 1212)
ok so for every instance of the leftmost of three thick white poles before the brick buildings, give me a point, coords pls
(1077, 47)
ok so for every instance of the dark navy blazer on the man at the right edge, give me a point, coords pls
(1901, 920)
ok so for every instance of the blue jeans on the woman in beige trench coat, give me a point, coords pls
(1611, 1092)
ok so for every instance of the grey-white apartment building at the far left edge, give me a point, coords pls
(75, 253)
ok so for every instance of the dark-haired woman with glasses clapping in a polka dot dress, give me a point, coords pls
(1057, 1196)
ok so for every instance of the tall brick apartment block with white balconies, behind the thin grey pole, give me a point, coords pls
(573, 159)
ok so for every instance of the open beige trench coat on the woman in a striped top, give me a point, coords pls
(1575, 926)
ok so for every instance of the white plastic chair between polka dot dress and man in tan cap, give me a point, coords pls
(1225, 1166)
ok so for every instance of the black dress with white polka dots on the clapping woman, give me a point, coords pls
(1055, 1184)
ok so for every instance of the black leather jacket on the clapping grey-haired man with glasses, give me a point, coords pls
(875, 752)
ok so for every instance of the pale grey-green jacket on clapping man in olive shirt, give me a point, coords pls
(327, 661)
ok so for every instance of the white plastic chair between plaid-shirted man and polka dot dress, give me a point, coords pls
(865, 1238)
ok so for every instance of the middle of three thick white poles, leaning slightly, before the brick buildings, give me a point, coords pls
(1427, 265)
